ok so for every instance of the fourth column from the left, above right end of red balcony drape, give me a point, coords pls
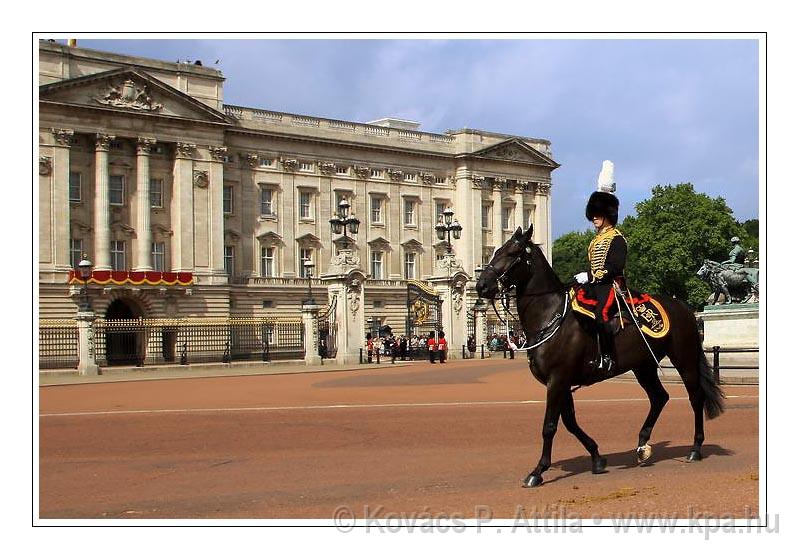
(182, 210)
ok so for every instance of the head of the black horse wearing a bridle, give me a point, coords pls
(503, 270)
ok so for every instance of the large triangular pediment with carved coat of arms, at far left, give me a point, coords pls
(129, 90)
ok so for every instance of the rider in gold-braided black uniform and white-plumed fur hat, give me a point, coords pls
(608, 252)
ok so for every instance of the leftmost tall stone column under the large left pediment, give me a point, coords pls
(59, 167)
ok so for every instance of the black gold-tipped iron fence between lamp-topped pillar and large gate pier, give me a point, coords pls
(142, 342)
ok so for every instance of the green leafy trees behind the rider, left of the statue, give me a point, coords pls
(671, 234)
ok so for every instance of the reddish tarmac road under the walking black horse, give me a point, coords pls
(440, 439)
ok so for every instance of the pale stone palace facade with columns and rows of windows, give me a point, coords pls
(142, 167)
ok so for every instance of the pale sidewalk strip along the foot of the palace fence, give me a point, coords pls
(152, 373)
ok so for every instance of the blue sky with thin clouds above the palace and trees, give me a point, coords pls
(665, 111)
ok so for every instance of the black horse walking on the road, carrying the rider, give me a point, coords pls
(562, 345)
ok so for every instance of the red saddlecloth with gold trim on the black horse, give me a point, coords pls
(650, 314)
